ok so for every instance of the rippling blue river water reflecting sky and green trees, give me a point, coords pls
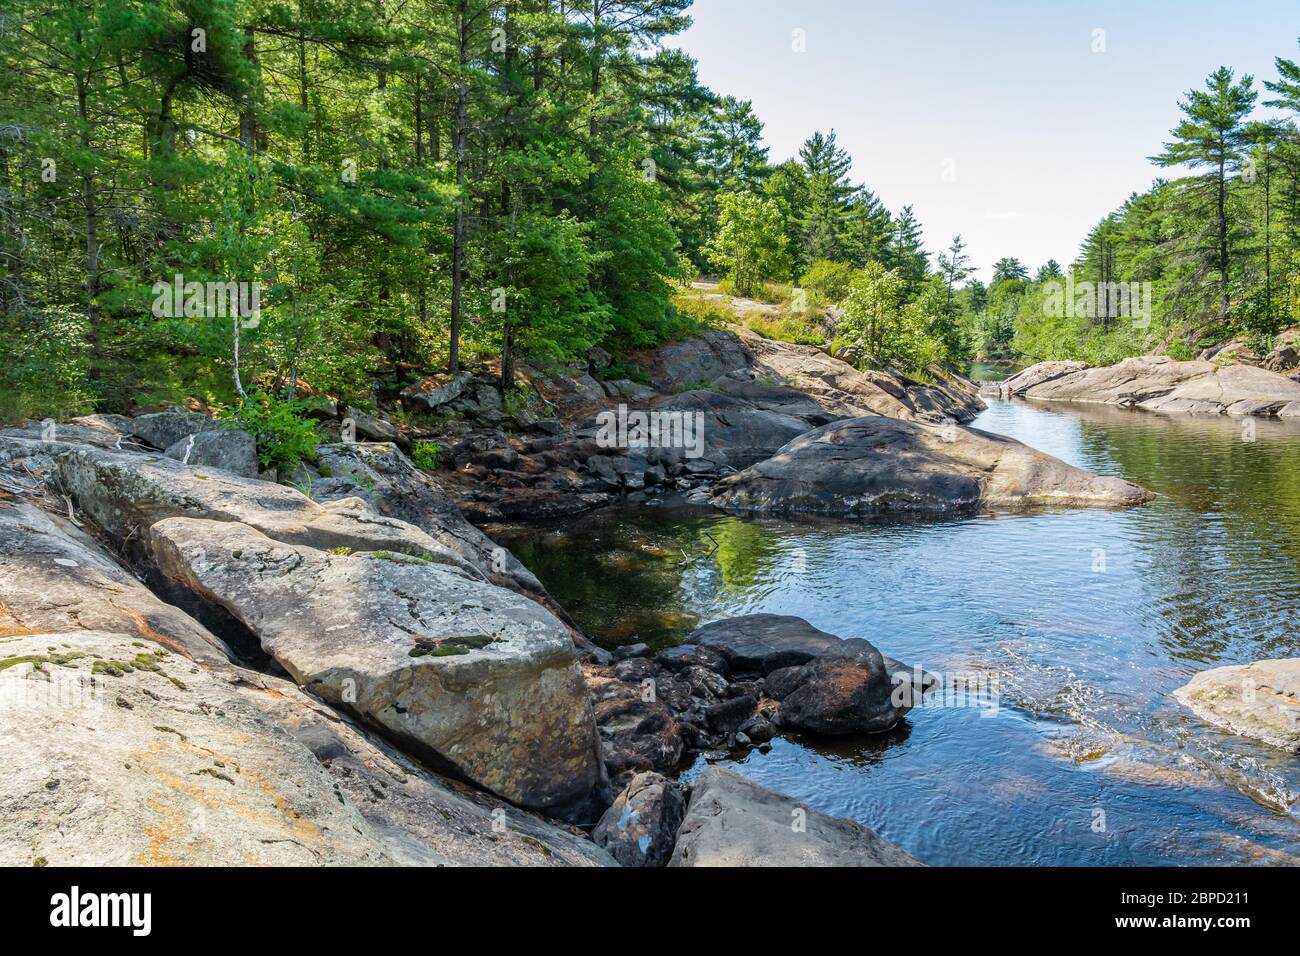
(1089, 618)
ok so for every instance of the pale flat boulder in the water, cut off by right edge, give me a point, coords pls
(1258, 700)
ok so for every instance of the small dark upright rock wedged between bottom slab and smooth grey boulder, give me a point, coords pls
(642, 828)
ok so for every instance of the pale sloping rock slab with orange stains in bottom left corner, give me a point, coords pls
(123, 755)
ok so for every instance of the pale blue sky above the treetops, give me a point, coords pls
(1039, 136)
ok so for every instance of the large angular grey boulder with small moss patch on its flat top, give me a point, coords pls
(480, 681)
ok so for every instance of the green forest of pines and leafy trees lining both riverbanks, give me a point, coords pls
(440, 184)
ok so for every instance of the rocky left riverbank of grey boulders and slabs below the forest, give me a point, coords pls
(337, 667)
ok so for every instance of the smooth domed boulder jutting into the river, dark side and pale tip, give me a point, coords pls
(878, 465)
